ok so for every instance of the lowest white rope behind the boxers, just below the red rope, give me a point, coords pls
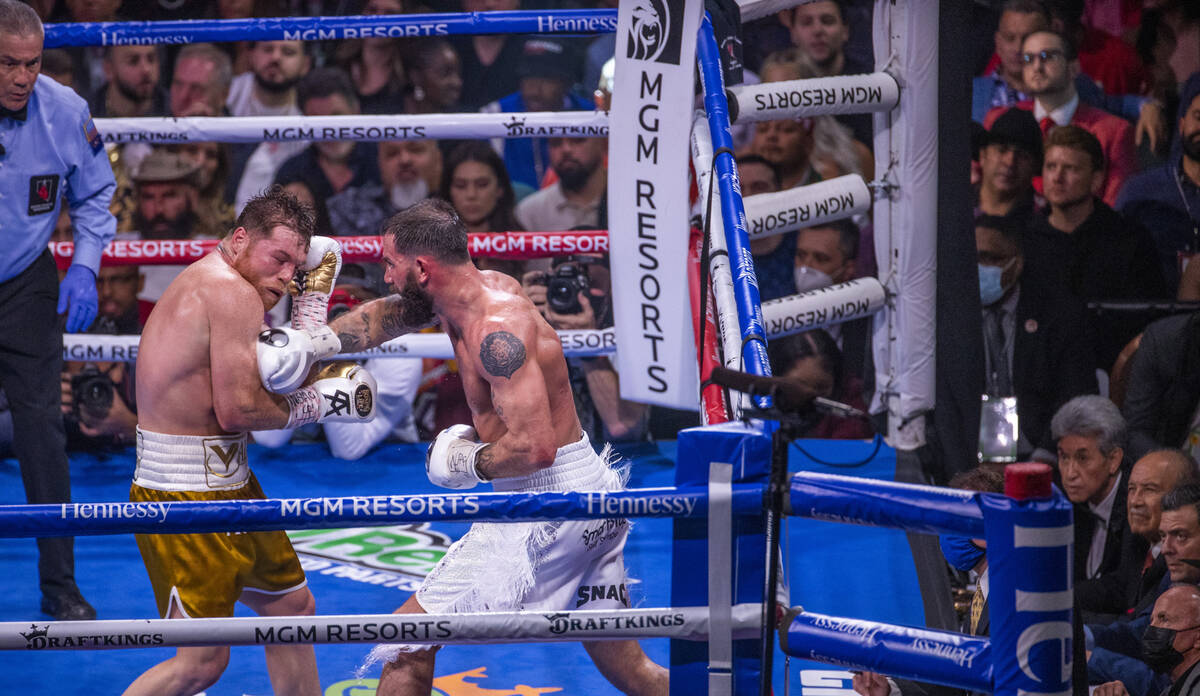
(100, 349)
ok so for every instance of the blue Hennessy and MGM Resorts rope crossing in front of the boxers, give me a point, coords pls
(177, 518)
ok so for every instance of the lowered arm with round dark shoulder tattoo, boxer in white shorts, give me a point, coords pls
(509, 363)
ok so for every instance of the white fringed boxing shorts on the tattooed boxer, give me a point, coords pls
(535, 566)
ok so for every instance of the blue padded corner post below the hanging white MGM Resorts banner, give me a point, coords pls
(748, 451)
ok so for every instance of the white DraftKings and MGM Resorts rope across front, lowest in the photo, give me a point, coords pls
(683, 623)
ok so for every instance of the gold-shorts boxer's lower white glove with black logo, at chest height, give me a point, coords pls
(341, 392)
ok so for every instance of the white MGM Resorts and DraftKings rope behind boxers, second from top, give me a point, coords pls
(359, 128)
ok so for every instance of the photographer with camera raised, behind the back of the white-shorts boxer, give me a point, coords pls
(575, 296)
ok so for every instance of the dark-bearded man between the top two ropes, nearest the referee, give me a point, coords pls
(133, 86)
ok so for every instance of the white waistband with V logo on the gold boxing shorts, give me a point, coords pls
(191, 463)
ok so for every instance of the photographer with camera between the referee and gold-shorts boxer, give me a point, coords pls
(99, 399)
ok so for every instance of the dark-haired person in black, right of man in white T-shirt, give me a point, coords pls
(329, 167)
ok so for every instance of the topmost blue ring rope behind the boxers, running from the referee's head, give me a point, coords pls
(331, 28)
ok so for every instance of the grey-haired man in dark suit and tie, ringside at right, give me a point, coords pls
(1091, 439)
